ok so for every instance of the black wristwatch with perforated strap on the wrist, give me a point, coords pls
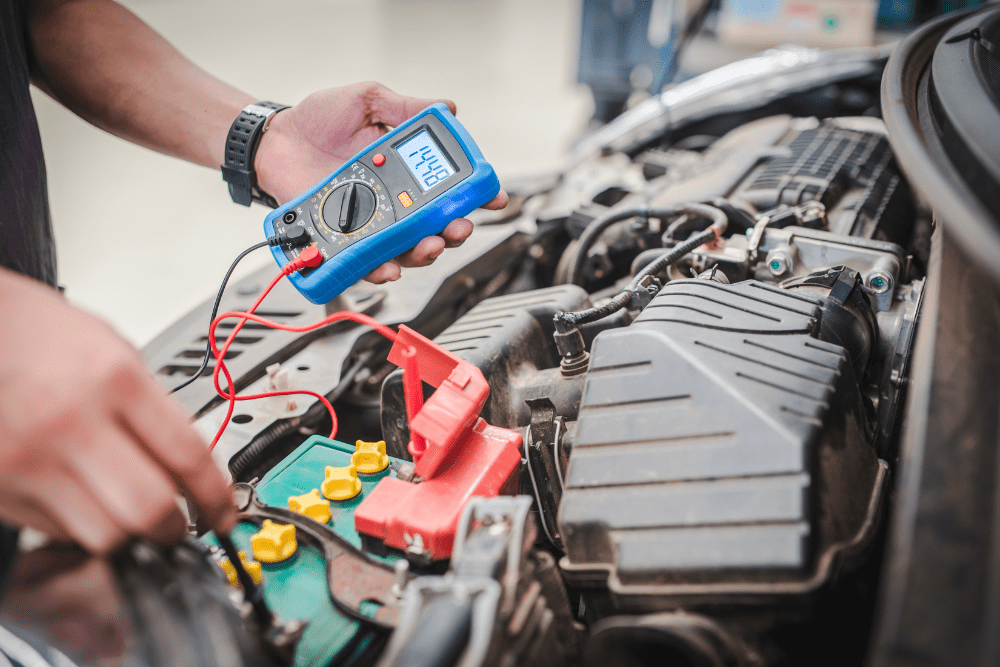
(241, 147)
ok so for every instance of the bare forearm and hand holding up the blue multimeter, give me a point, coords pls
(106, 65)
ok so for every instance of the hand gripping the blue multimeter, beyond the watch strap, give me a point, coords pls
(306, 143)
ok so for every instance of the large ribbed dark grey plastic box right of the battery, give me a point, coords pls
(719, 444)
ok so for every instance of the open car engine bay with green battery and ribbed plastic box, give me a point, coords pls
(691, 351)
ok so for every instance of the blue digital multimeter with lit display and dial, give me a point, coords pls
(407, 185)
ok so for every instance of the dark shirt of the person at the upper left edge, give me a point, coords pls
(26, 242)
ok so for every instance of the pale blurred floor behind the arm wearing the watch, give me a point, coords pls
(170, 227)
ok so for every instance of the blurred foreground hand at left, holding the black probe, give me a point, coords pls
(91, 448)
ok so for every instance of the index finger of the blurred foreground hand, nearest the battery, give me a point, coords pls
(160, 426)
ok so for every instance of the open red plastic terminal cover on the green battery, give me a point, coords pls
(456, 452)
